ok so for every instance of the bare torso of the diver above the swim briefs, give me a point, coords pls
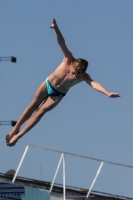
(62, 79)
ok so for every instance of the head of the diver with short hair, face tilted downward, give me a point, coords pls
(80, 65)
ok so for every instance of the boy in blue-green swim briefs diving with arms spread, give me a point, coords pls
(49, 94)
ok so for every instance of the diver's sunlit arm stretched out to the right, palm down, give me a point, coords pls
(99, 87)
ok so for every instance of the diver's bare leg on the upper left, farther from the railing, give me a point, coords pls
(40, 96)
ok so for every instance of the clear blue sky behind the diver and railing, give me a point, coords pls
(85, 122)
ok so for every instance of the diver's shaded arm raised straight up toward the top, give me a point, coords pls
(60, 39)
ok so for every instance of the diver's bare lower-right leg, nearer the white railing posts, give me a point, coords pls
(49, 104)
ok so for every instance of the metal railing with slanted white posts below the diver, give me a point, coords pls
(62, 159)
